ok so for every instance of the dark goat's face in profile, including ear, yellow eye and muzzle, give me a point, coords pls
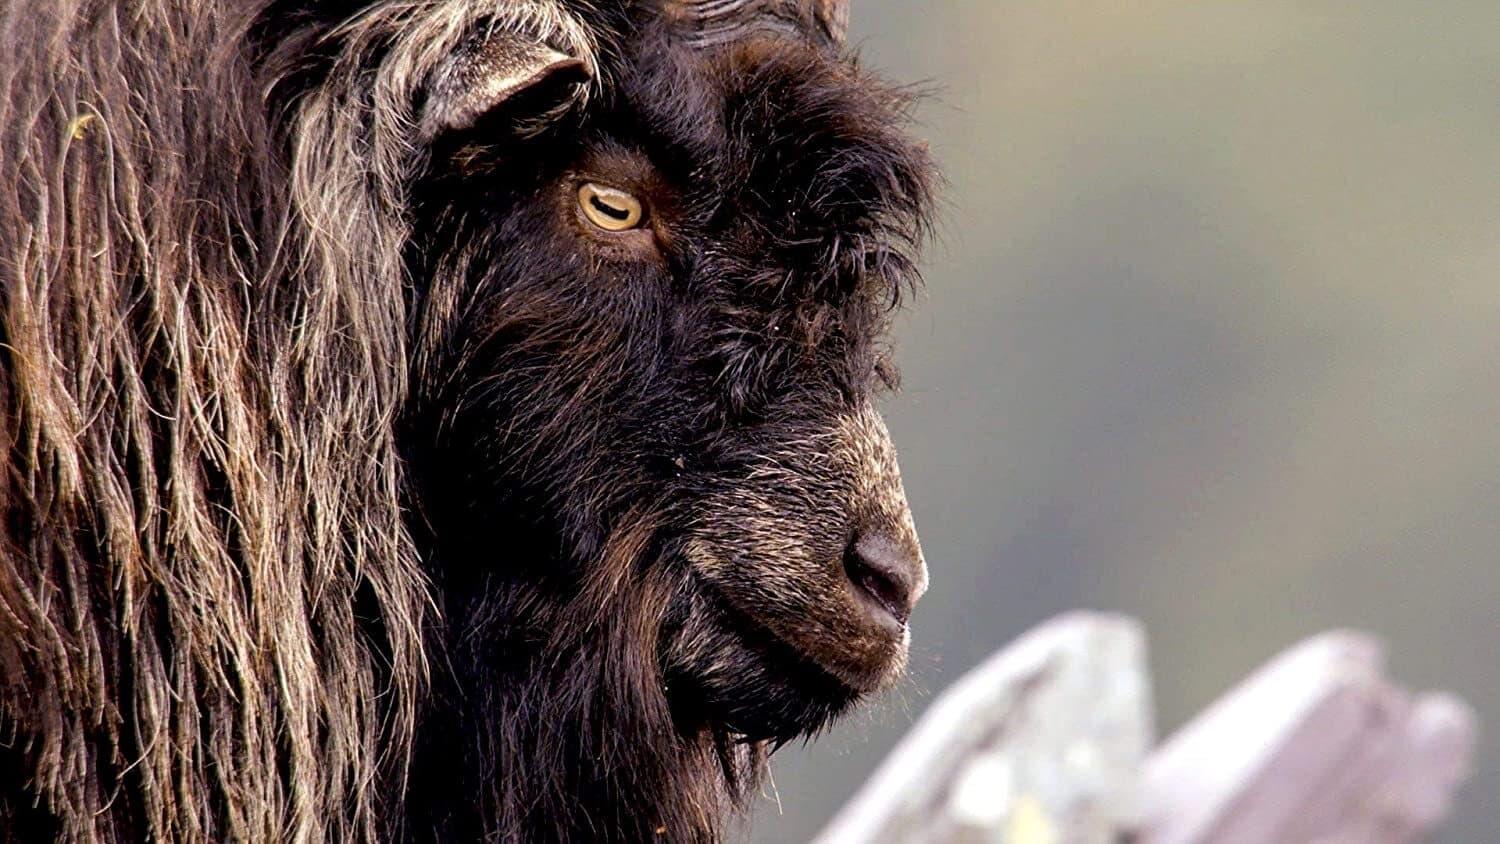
(653, 295)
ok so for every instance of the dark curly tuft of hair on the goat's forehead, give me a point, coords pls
(791, 152)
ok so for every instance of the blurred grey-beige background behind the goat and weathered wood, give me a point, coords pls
(1211, 337)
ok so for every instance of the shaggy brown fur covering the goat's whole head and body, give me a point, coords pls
(352, 491)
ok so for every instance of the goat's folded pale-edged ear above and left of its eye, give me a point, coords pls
(493, 71)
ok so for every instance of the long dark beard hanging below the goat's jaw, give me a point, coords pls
(568, 711)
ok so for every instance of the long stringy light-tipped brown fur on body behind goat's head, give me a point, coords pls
(212, 608)
